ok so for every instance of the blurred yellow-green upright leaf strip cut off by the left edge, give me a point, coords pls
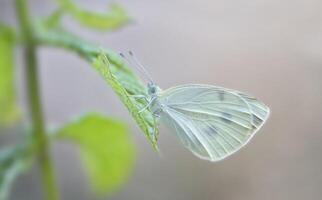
(9, 111)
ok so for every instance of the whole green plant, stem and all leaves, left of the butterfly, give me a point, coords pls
(104, 143)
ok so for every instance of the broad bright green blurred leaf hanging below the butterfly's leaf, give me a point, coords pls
(106, 148)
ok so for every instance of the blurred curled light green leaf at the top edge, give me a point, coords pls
(114, 18)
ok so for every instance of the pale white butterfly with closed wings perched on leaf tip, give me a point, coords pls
(212, 122)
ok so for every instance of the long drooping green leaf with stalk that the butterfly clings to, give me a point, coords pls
(123, 81)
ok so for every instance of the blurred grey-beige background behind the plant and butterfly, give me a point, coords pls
(269, 48)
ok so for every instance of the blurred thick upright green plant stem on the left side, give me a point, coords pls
(38, 124)
